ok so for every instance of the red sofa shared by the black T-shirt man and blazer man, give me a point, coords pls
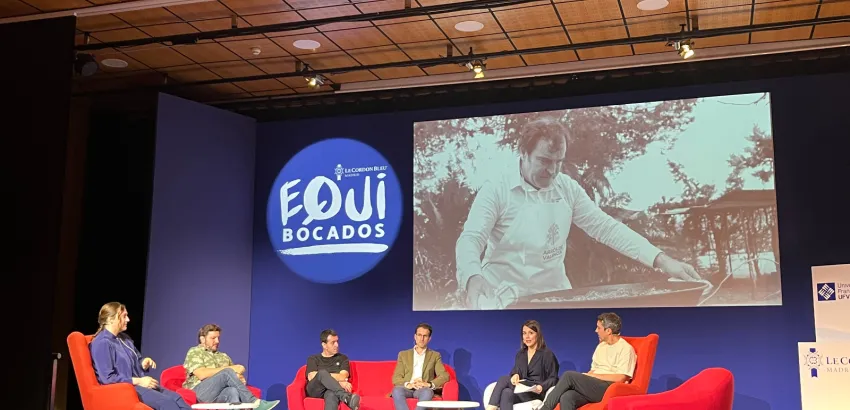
(371, 380)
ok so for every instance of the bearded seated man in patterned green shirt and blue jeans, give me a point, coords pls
(212, 375)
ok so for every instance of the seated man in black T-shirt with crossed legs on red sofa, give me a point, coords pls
(327, 374)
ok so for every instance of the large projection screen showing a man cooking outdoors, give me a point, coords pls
(657, 204)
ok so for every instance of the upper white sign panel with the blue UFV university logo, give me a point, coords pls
(831, 296)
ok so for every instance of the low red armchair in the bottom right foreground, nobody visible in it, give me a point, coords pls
(710, 389)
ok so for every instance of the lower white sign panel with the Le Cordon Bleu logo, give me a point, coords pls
(824, 375)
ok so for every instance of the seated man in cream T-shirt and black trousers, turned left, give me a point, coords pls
(613, 361)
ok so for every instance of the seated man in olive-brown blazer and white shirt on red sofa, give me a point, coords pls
(418, 371)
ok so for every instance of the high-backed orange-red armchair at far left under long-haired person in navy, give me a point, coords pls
(118, 396)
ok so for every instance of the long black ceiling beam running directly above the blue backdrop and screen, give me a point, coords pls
(618, 81)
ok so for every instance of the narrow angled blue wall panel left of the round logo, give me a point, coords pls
(199, 258)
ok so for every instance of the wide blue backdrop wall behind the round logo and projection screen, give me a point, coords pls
(373, 313)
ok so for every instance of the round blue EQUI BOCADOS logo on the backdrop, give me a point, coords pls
(334, 210)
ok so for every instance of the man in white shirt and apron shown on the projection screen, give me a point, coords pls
(520, 222)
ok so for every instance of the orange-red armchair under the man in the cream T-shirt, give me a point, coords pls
(645, 348)
